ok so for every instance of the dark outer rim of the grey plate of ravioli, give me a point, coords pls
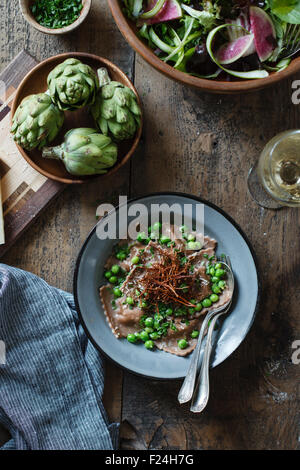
(163, 193)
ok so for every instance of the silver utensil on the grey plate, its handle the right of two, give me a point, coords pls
(201, 393)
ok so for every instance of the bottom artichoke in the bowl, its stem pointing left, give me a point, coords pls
(84, 152)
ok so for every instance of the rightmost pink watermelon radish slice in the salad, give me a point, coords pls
(264, 33)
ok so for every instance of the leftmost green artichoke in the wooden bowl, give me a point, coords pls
(36, 121)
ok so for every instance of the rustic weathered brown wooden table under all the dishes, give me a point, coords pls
(202, 144)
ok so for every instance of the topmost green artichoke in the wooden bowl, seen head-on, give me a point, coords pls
(73, 85)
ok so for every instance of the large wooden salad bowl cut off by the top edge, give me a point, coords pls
(129, 31)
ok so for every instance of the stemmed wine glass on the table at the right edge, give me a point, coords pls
(274, 181)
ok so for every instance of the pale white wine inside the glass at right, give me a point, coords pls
(279, 168)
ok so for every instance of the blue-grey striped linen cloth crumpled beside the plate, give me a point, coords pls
(52, 382)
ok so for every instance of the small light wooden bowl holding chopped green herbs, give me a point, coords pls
(26, 12)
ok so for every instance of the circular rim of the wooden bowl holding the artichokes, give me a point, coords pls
(109, 65)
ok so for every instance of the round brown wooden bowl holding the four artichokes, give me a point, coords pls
(36, 82)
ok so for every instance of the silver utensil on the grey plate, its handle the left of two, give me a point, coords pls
(186, 392)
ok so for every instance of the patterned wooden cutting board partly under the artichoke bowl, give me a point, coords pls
(25, 192)
